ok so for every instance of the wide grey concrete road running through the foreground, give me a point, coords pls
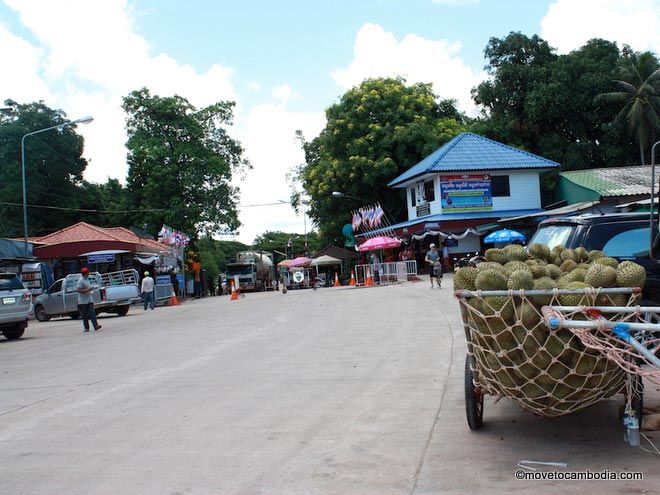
(338, 391)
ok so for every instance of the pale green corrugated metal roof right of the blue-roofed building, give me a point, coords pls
(615, 181)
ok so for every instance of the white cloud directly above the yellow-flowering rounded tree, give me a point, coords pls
(378, 53)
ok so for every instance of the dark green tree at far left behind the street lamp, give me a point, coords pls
(54, 168)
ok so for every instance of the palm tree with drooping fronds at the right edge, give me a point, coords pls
(639, 85)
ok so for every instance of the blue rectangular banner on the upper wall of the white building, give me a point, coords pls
(461, 193)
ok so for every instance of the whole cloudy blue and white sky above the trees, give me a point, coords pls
(282, 62)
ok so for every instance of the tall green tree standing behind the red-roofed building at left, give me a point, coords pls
(181, 159)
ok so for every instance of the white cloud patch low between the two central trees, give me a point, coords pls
(268, 134)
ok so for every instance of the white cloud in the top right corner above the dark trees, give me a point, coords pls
(569, 24)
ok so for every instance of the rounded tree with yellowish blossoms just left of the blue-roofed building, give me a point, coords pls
(376, 131)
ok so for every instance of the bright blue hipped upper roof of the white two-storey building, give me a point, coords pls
(467, 152)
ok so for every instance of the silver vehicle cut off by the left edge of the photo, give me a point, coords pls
(15, 306)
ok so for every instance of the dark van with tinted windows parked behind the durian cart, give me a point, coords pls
(624, 236)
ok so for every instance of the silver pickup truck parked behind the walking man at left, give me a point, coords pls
(113, 293)
